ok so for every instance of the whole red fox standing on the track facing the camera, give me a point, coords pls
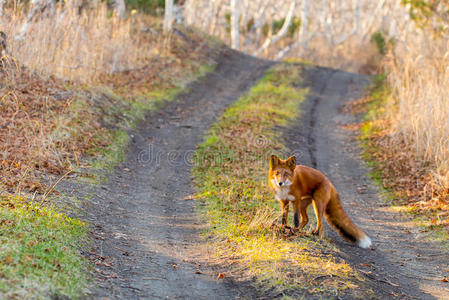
(302, 186)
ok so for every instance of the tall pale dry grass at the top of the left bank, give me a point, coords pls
(82, 47)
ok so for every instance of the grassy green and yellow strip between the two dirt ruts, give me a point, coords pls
(231, 173)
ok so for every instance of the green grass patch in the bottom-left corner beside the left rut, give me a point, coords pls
(39, 255)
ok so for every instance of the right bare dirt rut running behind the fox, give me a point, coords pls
(401, 263)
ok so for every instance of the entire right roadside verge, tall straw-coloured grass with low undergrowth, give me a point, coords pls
(406, 129)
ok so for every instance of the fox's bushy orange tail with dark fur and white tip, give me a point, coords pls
(340, 221)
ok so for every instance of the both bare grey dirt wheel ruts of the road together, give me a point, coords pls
(146, 233)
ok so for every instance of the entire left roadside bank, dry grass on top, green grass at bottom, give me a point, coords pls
(72, 85)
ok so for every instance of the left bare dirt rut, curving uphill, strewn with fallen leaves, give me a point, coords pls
(147, 237)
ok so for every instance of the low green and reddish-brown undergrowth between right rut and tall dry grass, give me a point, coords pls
(408, 176)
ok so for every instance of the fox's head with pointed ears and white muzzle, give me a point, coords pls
(281, 171)
